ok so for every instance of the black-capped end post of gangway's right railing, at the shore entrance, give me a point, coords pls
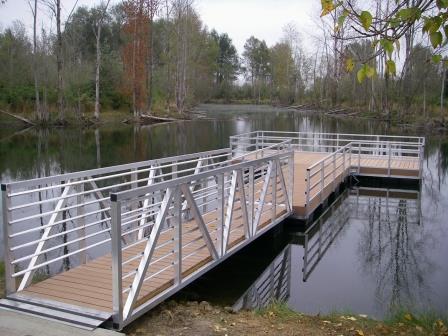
(117, 287)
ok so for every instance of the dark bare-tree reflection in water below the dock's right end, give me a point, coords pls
(393, 249)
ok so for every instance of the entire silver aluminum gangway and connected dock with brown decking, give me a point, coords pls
(106, 245)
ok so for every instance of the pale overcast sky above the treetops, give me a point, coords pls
(239, 18)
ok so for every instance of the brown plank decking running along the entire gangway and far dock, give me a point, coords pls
(90, 285)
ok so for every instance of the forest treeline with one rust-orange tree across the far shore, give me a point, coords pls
(158, 57)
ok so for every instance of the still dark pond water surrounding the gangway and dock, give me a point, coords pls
(381, 251)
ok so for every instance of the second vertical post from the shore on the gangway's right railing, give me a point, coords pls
(177, 236)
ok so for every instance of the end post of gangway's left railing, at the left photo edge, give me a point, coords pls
(6, 205)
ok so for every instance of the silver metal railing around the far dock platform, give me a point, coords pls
(347, 153)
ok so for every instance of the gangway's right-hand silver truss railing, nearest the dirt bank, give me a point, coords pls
(226, 208)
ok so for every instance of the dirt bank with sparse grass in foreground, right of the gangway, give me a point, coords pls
(203, 319)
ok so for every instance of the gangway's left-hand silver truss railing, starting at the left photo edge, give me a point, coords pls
(53, 223)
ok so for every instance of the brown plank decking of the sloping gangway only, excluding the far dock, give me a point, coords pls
(90, 285)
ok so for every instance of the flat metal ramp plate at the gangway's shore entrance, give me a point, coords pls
(79, 317)
